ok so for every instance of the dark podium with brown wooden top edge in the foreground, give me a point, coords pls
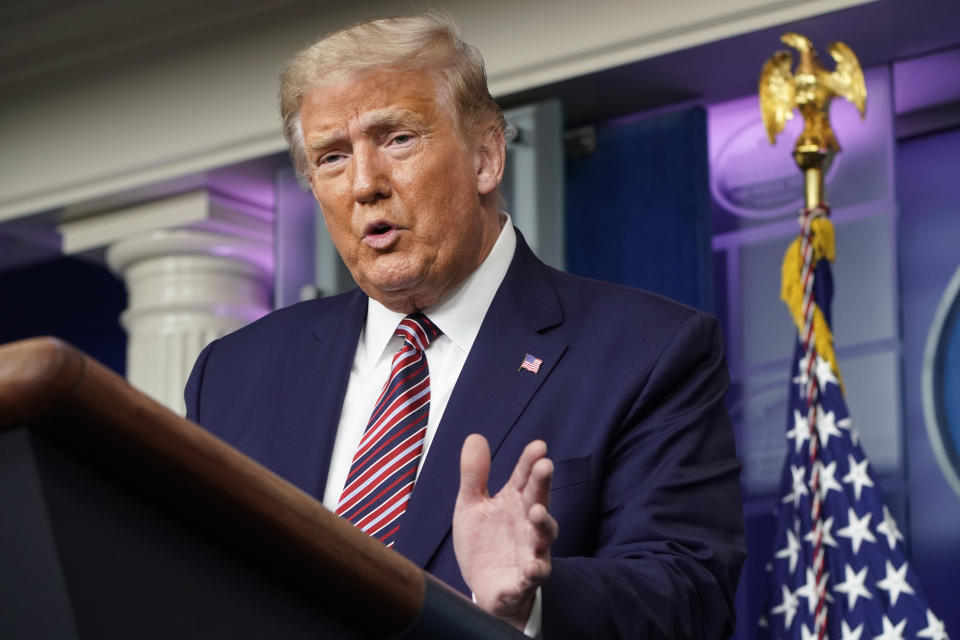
(122, 520)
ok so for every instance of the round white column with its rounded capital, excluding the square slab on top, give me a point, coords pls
(185, 288)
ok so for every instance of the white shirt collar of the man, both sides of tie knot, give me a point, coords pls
(459, 314)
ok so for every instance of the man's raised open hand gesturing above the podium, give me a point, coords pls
(502, 543)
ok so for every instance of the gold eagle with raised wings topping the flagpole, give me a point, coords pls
(810, 89)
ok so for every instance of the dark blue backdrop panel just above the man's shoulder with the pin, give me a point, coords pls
(638, 208)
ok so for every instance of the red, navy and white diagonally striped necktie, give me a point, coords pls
(384, 468)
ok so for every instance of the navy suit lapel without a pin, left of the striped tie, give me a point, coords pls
(315, 382)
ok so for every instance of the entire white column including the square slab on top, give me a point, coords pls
(197, 265)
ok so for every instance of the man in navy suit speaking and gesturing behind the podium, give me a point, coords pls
(640, 535)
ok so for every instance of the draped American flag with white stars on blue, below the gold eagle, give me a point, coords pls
(870, 590)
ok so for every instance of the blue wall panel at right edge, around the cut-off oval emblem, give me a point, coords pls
(928, 234)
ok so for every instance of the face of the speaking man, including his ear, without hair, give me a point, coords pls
(409, 200)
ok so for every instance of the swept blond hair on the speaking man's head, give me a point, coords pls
(429, 41)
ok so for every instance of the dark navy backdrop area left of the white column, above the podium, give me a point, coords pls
(72, 299)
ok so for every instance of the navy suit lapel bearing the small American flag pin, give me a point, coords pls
(489, 396)
